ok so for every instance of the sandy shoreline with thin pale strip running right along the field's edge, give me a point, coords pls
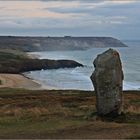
(21, 81)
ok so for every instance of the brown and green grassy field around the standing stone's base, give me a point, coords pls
(64, 114)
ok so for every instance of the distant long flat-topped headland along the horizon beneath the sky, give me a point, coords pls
(57, 43)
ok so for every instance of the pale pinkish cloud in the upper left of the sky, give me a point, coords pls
(29, 9)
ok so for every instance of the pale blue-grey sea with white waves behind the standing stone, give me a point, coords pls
(79, 78)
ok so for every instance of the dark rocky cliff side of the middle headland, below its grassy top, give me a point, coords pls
(36, 64)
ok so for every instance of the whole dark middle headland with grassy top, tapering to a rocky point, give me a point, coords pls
(11, 63)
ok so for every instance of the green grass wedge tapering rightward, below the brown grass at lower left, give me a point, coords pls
(27, 125)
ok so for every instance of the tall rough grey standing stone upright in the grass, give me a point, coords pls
(107, 80)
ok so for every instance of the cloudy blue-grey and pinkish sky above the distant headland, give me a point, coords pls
(115, 18)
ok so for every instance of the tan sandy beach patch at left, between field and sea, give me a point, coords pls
(18, 81)
